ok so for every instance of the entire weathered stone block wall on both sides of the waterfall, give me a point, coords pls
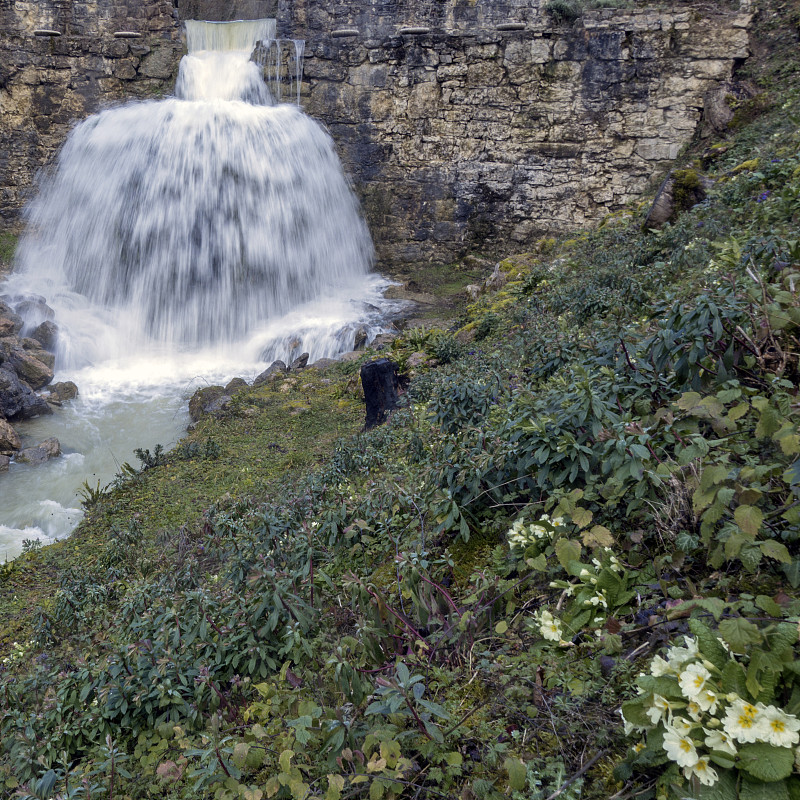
(465, 124)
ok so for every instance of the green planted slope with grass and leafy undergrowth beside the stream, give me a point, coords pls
(406, 531)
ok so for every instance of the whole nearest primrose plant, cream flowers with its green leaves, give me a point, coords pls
(723, 723)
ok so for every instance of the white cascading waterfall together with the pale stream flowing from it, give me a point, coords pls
(196, 235)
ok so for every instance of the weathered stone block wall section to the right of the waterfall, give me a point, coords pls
(480, 126)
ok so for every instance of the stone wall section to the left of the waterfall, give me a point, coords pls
(49, 82)
